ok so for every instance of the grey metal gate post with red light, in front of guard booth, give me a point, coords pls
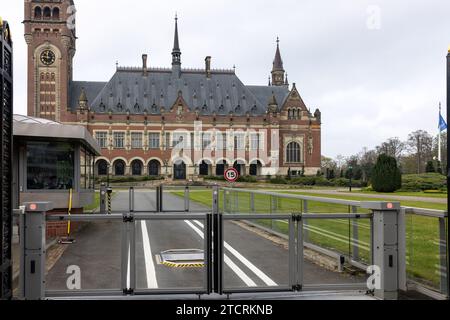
(32, 269)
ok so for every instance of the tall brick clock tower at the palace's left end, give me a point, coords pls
(50, 36)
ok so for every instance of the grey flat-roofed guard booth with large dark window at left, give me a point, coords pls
(55, 163)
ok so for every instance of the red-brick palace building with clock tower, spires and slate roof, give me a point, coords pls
(173, 122)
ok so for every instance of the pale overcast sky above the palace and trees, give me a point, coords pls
(376, 69)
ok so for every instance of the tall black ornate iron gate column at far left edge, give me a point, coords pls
(6, 107)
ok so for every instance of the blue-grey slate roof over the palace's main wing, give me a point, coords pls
(129, 90)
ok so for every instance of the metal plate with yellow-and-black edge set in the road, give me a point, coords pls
(183, 258)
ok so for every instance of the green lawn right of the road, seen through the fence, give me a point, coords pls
(422, 232)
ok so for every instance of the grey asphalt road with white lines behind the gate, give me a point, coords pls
(250, 259)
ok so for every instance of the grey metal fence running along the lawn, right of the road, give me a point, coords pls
(422, 239)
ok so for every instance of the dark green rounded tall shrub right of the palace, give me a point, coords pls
(386, 176)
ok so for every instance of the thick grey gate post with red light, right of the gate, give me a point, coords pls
(385, 240)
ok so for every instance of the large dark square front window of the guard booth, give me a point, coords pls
(50, 166)
